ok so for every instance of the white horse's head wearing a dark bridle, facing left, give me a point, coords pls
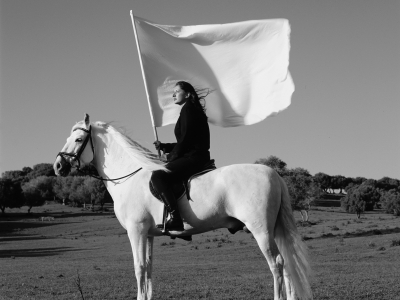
(77, 151)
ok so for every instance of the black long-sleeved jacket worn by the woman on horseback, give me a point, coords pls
(192, 134)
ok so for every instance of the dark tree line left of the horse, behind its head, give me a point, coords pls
(34, 186)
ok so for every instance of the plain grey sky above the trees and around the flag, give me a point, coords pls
(60, 59)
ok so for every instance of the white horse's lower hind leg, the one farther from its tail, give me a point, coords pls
(275, 261)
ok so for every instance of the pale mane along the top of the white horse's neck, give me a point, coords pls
(144, 157)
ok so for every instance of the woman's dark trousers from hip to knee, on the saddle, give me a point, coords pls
(180, 169)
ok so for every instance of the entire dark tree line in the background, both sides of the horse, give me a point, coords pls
(33, 186)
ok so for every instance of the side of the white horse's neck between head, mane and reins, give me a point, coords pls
(111, 159)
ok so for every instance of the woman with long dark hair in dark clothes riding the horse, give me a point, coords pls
(188, 155)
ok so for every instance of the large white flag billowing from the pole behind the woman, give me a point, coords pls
(244, 64)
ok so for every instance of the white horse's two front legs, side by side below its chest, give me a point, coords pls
(139, 240)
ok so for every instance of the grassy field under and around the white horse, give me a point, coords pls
(351, 259)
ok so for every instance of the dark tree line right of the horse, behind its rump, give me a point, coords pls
(361, 194)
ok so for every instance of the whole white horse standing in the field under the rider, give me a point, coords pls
(228, 197)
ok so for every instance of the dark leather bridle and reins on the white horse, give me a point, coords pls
(77, 156)
